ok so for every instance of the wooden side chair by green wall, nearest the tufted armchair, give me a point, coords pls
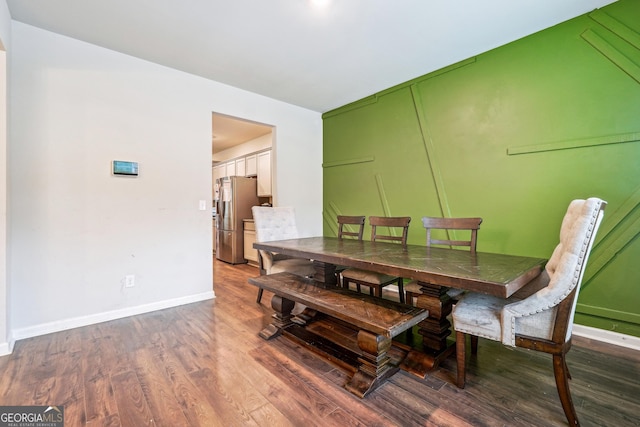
(468, 226)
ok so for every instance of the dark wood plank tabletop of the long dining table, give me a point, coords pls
(495, 274)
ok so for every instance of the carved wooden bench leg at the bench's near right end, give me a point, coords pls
(374, 366)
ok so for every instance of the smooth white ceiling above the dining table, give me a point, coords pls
(319, 58)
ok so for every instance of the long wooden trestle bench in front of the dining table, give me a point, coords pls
(375, 322)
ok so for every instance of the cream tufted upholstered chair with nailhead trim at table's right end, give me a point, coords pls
(539, 316)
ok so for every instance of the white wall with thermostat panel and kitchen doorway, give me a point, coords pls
(77, 230)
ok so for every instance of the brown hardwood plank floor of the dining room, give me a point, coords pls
(203, 364)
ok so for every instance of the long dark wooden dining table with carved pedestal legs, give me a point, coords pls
(435, 269)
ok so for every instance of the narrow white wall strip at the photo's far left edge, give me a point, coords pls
(5, 44)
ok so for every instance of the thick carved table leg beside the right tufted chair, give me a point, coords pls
(434, 330)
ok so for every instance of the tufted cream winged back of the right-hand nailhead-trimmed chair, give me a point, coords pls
(556, 302)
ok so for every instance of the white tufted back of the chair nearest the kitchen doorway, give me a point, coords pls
(274, 223)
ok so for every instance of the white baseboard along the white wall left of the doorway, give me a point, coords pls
(63, 325)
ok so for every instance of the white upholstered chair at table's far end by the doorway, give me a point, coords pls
(278, 223)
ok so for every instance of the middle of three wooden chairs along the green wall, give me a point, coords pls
(377, 281)
